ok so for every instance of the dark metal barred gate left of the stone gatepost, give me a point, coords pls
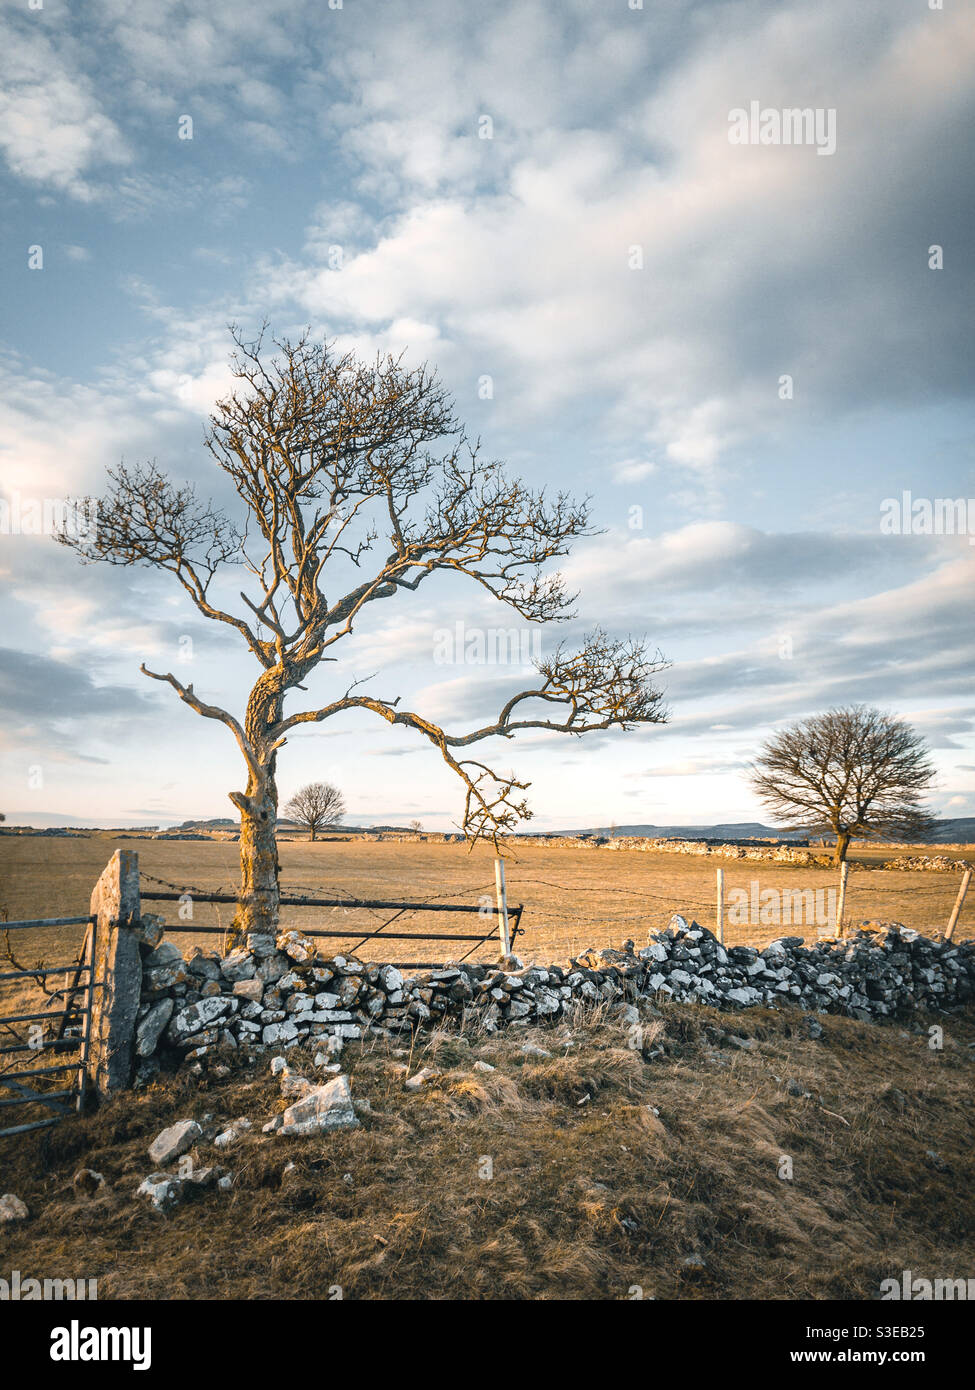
(55, 1033)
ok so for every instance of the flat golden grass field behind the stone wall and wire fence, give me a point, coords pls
(574, 899)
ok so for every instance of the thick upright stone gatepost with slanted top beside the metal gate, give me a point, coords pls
(118, 971)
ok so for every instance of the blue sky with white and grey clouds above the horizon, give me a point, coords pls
(742, 351)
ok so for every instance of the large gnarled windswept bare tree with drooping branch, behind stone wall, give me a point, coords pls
(357, 486)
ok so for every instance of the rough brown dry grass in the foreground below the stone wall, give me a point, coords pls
(592, 1192)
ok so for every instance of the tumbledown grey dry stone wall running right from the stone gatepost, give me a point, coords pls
(279, 993)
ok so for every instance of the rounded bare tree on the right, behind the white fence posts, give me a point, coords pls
(852, 772)
